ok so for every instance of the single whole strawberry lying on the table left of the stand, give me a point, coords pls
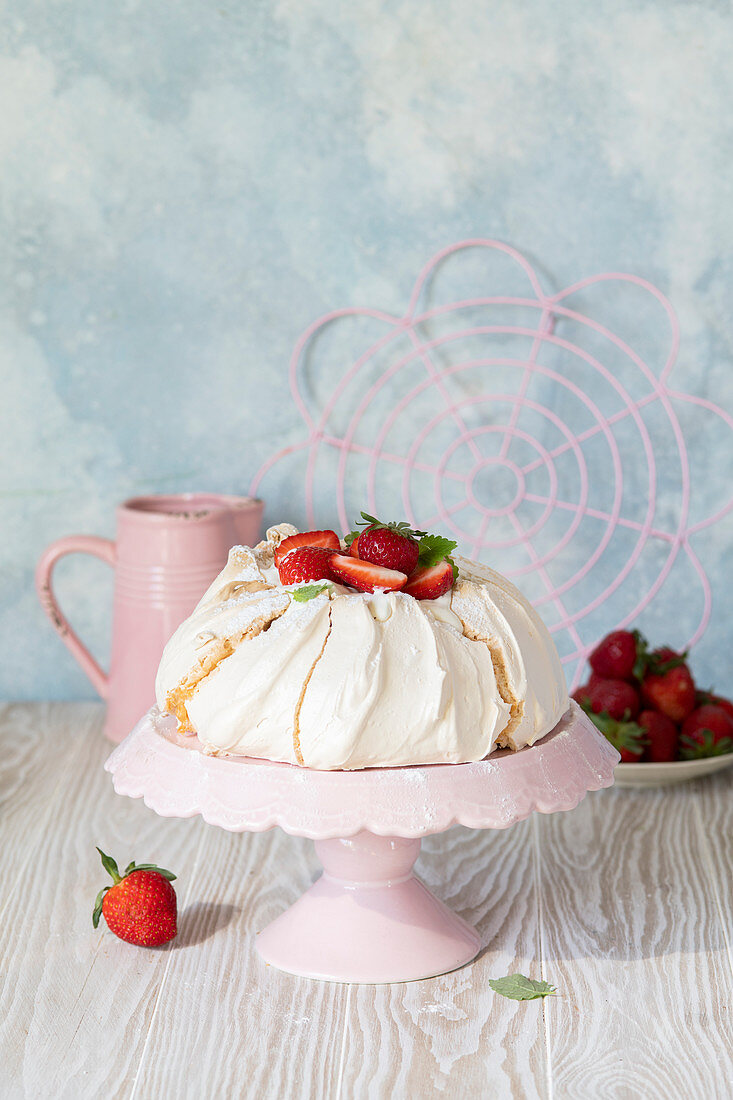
(140, 907)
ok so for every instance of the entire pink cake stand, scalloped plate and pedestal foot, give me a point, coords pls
(368, 918)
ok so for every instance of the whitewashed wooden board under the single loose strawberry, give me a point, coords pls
(76, 1003)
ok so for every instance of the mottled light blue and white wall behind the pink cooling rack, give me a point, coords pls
(184, 188)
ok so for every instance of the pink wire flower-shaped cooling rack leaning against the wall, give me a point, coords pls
(521, 424)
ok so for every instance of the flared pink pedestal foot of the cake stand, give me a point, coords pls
(368, 919)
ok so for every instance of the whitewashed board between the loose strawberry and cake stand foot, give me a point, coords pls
(250, 1030)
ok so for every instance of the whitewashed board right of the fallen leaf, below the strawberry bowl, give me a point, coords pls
(633, 941)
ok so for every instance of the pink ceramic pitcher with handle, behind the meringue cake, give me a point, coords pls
(168, 552)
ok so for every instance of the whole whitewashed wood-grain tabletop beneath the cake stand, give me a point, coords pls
(625, 905)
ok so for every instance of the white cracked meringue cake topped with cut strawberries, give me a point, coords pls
(326, 656)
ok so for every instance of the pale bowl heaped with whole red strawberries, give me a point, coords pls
(648, 705)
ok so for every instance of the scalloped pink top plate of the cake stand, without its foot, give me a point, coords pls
(177, 779)
